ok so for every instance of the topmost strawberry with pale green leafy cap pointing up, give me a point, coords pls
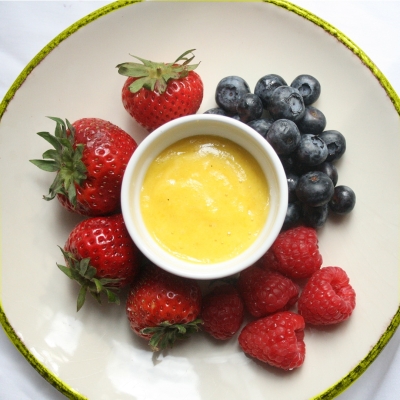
(155, 93)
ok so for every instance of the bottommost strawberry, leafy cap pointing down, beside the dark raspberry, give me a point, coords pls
(162, 307)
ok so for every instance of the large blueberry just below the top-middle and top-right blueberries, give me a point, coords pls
(286, 102)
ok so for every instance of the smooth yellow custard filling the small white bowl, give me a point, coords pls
(204, 199)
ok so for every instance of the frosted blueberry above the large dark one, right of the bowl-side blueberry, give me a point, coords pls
(312, 150)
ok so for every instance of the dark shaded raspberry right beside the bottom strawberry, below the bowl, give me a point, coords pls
(222, 311)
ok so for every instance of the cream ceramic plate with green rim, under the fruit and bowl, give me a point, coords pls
(93, 354)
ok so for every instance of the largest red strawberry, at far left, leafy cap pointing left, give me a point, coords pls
(90, 158)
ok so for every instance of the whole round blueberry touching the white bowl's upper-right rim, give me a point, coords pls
(283, 136)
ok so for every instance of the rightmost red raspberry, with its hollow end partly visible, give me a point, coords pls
(327, 297)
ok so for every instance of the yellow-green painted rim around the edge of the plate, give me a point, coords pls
(347, 380)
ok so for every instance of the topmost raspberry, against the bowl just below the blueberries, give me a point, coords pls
(294, 253)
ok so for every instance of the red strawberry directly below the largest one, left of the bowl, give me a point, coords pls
(101, 257)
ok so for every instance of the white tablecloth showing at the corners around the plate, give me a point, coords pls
(27, 26)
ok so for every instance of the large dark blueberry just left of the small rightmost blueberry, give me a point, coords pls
(314, 189)
